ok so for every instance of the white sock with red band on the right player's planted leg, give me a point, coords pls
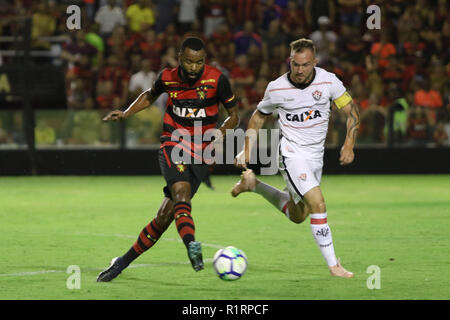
(322, 234)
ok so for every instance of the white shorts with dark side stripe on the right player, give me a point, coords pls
(300, 174)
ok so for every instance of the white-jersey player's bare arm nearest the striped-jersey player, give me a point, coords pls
(256, 122)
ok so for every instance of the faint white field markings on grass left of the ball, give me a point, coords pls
(32, 273)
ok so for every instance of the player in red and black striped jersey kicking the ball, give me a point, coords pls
(195, 91)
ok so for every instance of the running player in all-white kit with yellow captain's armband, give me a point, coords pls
(302, 98)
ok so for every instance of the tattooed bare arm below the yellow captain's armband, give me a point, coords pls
(352, 112)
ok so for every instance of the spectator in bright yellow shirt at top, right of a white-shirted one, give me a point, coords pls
(140, 15)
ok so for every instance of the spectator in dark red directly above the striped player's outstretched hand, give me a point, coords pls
(112, 85)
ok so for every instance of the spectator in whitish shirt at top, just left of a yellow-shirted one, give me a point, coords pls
(107, 17)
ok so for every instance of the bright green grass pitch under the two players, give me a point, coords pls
(399, 223)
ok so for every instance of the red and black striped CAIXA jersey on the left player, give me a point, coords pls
(192, 108)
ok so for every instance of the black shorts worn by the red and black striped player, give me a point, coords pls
(175, 172)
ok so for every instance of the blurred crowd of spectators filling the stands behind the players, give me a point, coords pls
(399, 73)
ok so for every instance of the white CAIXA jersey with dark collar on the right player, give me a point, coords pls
(303, 113)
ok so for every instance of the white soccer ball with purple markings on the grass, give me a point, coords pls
(230, 263)
